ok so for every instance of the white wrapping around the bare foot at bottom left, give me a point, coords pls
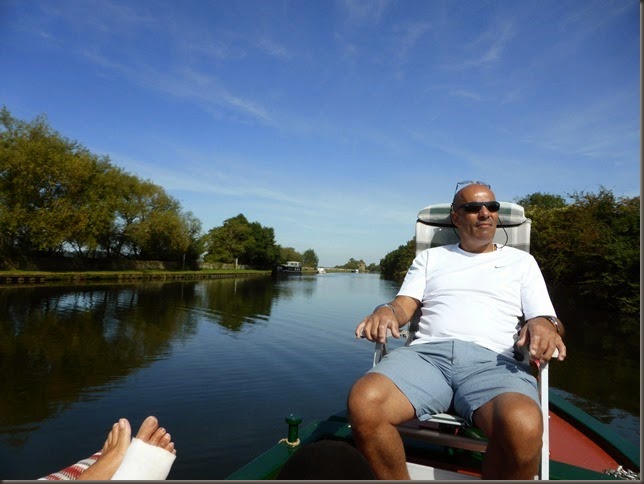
(144, 461)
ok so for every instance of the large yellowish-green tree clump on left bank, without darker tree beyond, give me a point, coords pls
(56, 196)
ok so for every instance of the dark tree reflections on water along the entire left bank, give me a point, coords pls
(58, 341)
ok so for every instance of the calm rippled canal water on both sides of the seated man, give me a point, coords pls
(222, 363)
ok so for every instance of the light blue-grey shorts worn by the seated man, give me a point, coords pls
(436, 375)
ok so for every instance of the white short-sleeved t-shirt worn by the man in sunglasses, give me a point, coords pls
(476, 297)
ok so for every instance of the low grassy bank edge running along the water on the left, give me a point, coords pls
(34, 277)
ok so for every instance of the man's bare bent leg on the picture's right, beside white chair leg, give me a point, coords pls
(513, 425)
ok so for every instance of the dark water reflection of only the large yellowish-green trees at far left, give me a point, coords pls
(58, 341)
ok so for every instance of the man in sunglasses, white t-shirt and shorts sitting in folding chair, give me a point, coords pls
(473, 297)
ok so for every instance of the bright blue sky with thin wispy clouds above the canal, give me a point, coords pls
(335, 122)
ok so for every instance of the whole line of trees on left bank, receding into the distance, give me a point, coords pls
(65, 208)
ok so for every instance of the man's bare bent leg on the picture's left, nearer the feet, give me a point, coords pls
(376, 406)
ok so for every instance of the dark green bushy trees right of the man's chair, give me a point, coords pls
(592, 244)
